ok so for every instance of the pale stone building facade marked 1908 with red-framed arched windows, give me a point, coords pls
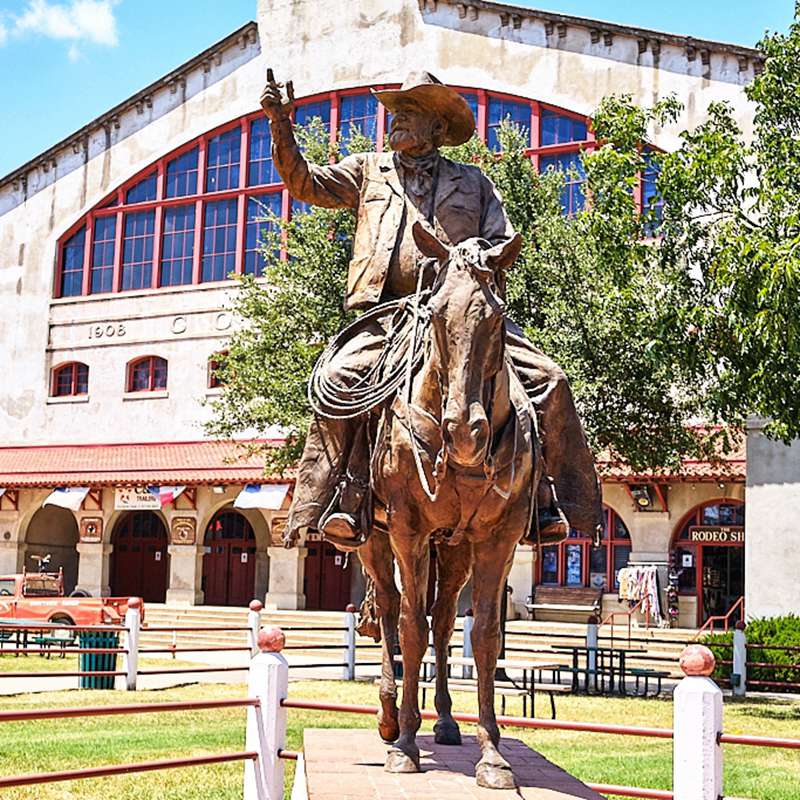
(115, 246)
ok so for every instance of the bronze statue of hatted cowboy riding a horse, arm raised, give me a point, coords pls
(435, 419)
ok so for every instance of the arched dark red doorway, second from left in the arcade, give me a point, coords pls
(139, 561)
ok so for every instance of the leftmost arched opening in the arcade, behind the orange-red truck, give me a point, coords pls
(53, 531)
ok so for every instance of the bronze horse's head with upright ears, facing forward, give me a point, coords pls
(467, 337)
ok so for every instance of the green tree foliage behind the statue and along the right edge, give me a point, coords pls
(681, 314)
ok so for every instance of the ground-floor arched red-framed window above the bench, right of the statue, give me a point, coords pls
(578, 562)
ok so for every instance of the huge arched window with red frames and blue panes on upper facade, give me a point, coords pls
(197, 215)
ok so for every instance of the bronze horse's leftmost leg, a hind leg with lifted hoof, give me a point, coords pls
(376, 556)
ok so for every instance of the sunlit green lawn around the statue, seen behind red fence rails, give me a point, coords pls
(55, 744)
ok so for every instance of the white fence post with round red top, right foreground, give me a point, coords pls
(697, 754)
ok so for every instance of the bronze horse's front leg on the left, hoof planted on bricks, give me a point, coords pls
(412, 554)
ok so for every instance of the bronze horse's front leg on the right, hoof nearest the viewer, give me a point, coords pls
(491, 565)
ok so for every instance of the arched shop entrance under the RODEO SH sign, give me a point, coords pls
(709, 556)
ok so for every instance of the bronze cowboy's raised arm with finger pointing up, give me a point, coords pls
(331, 186)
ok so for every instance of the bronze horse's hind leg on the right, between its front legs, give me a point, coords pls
(454, 564)
